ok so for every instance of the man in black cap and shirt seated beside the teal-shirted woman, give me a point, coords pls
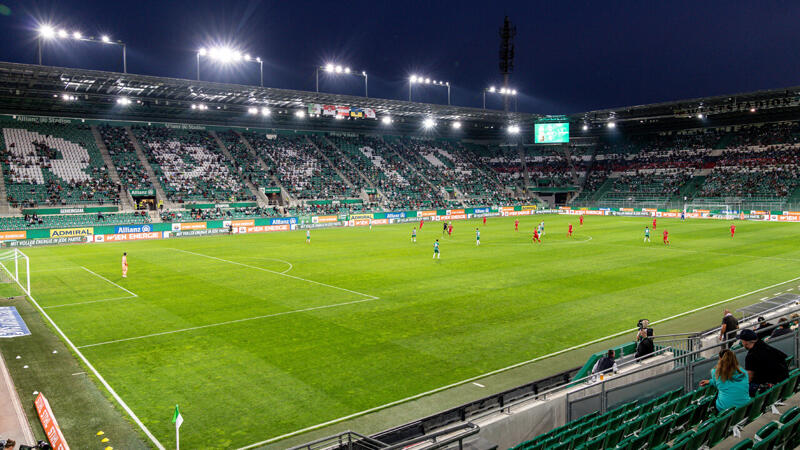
(765, 365)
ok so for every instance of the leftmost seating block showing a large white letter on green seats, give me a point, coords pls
(54, 164)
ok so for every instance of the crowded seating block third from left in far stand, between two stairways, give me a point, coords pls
(190, 166)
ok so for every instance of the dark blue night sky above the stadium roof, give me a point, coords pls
(571, 56)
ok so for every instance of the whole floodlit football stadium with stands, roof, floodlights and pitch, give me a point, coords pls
(212, 262)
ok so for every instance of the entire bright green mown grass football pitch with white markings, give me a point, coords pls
(260, 335)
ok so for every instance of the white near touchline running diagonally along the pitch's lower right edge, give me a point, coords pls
(498, 371)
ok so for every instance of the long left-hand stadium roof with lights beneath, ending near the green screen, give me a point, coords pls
(24, 88)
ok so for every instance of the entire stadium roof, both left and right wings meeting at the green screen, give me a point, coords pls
(35, 89)
